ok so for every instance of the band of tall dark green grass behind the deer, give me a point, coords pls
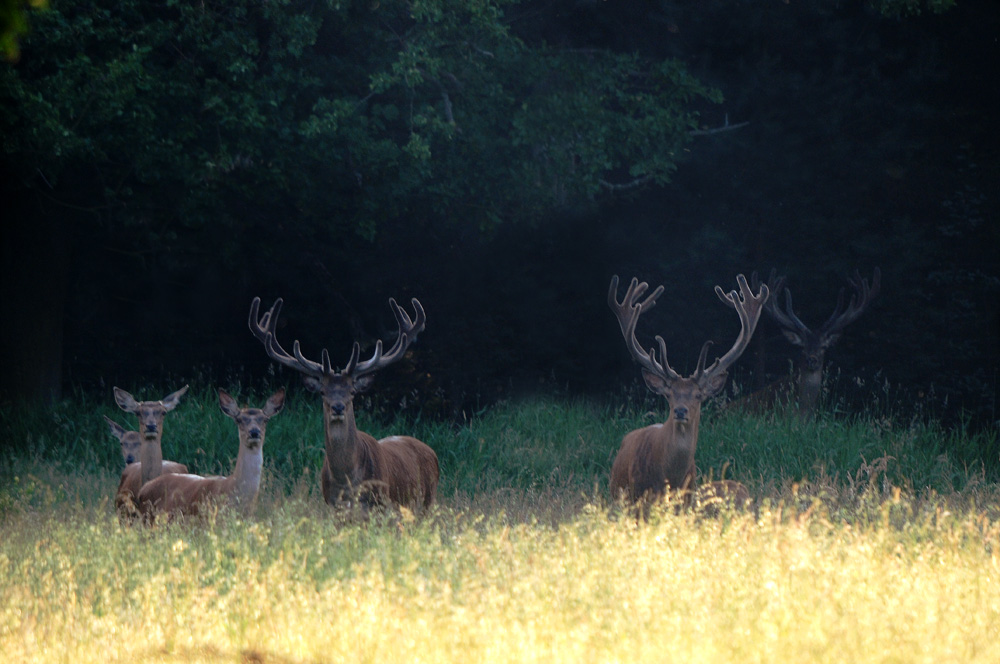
(561, 445)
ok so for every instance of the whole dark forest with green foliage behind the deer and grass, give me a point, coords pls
(164, 164)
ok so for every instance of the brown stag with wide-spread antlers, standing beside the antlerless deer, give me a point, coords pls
(357, 469)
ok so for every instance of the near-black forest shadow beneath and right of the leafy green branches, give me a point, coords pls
(869, 142)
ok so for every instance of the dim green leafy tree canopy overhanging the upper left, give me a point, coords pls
(176, 116)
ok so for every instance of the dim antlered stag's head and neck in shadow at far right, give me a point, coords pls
(808, 379)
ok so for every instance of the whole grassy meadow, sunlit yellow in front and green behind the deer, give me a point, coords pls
(871, 539)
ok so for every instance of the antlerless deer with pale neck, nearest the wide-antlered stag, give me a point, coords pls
(183, 494)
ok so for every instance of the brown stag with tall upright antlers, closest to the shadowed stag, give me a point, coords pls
(659, 458)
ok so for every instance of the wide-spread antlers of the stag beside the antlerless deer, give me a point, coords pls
(265, 328)
